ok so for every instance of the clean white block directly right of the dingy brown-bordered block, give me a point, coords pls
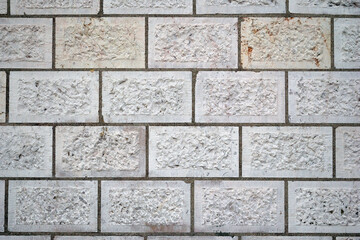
(193, 152)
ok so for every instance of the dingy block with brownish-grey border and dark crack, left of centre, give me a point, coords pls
(100, 151)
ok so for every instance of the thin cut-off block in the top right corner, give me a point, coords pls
(338, 7)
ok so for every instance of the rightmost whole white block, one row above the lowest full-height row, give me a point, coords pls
(287, 152)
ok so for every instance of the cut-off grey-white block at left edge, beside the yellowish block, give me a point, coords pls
(25, 43)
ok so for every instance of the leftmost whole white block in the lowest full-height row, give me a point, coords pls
(53, 206)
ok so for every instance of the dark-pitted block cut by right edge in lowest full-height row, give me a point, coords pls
(323, 207)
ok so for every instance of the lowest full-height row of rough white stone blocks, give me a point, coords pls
(166, 206)
